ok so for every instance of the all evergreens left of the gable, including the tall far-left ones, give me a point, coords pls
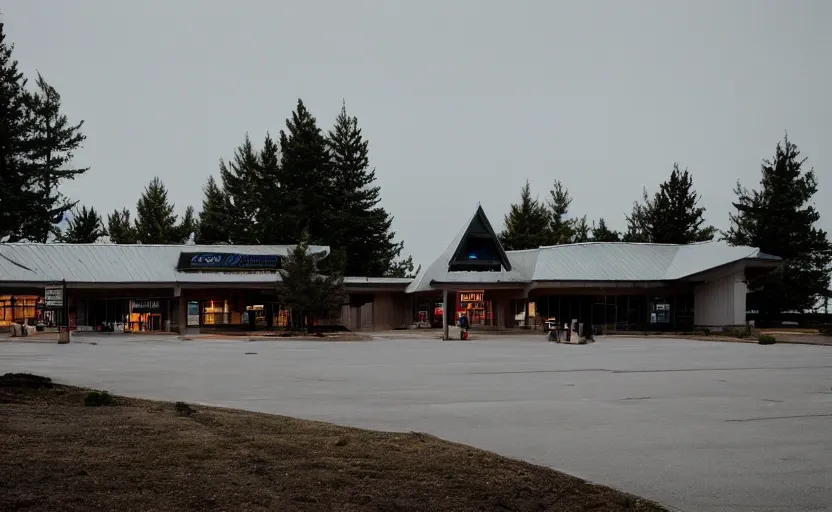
(306, 185)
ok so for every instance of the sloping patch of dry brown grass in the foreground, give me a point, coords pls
(57, 454)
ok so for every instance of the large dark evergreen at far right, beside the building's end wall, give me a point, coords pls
(780, 219)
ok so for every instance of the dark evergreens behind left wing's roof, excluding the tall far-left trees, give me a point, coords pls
(306, 184)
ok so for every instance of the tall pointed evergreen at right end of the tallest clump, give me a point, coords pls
(360, 228)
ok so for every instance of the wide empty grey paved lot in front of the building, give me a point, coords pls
(694, 425)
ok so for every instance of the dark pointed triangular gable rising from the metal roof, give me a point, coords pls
(479, 249)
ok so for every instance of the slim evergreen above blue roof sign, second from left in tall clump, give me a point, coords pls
(240, 179)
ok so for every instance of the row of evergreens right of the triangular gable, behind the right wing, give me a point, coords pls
(778, 217)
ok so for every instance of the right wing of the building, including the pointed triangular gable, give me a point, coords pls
(615, 286)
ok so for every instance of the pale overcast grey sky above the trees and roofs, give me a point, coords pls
(462, 100)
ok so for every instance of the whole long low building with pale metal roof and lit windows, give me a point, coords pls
(194, 288)
